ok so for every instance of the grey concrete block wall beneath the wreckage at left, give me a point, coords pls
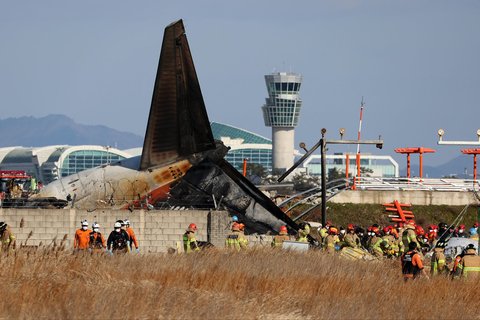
(156, 230)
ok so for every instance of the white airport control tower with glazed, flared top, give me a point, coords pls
(281, 112)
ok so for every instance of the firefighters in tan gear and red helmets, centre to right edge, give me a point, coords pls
(407, 242)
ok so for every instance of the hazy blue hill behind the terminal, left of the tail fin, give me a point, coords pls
(60, 129)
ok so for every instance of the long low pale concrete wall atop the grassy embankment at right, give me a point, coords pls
(451, 198)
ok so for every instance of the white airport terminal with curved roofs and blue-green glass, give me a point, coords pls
(50, 163)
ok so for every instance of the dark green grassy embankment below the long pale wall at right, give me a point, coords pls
(368, 214)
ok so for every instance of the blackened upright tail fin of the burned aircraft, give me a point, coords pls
(178, 124)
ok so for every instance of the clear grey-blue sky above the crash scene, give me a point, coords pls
(415, 62)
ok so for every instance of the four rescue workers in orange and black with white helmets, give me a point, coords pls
(121, 240)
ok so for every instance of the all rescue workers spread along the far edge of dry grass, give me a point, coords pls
(409, 242)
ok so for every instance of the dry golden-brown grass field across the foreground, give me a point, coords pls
(259, 284)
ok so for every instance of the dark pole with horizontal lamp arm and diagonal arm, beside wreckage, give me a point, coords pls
(322, 144)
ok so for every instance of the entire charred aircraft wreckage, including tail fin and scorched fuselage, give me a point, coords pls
(181, 163)
